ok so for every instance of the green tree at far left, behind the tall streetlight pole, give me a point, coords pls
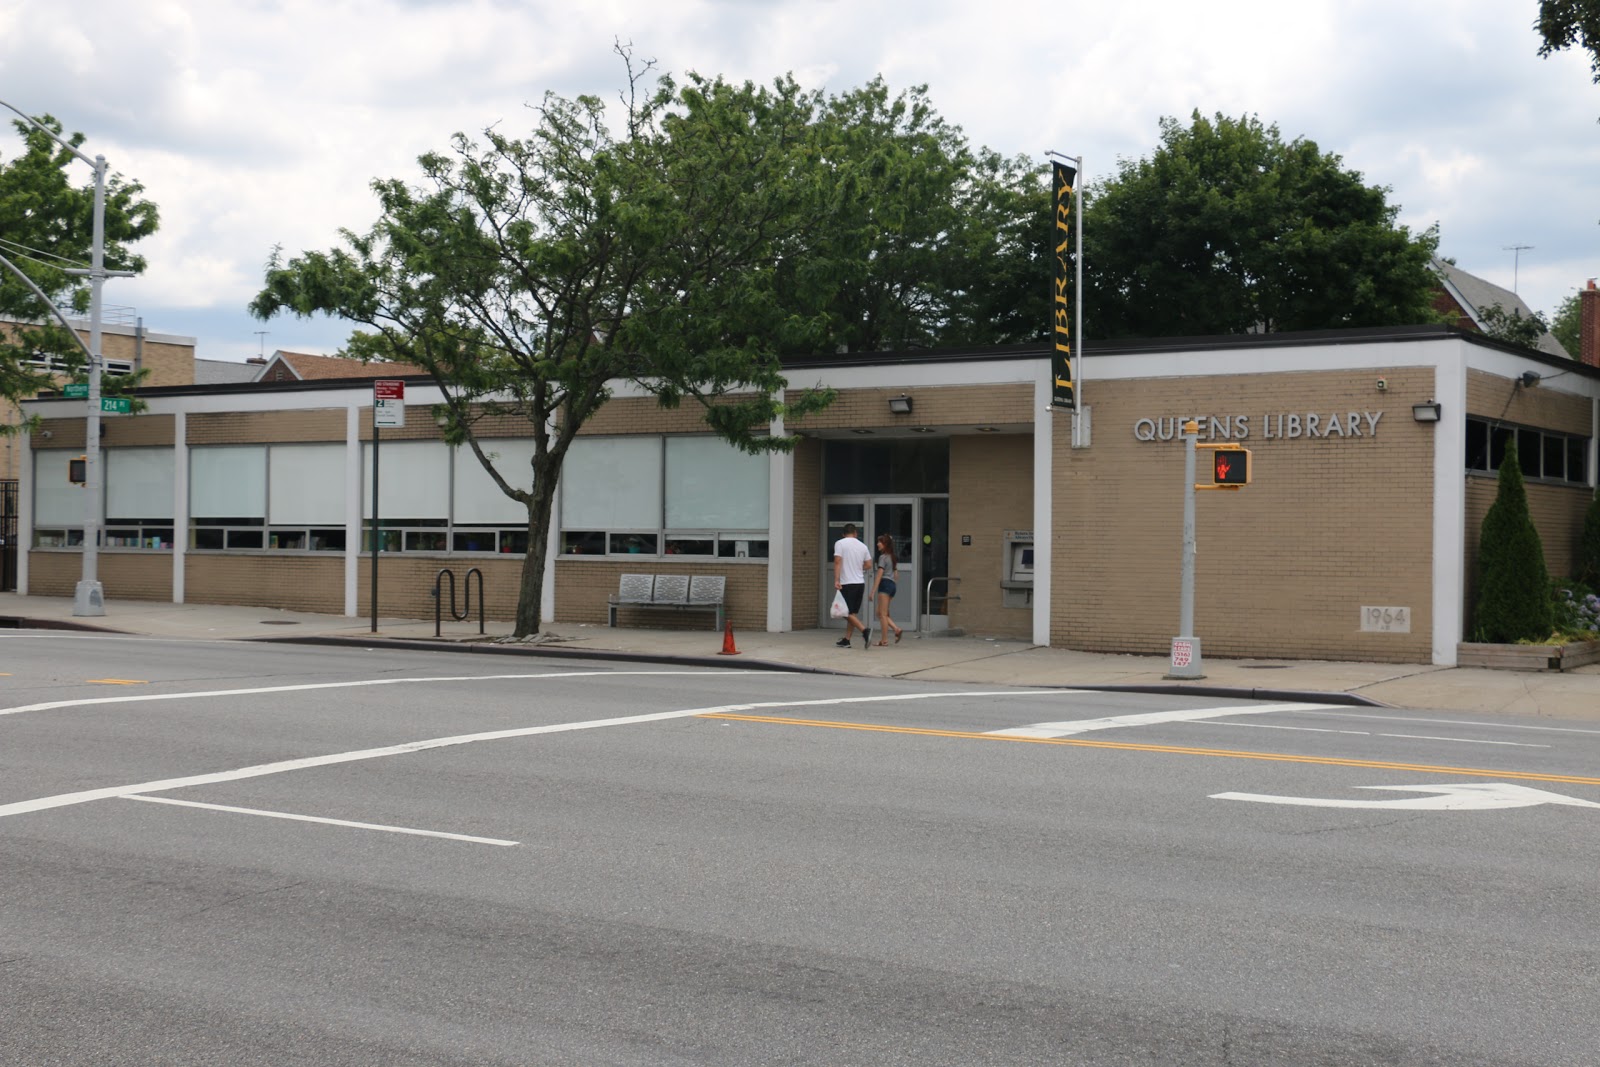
(46, 228)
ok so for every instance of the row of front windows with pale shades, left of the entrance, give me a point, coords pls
(620, 497)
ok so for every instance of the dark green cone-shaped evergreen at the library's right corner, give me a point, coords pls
(1514, 586)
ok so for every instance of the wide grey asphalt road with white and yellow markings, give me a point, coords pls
(228, 853)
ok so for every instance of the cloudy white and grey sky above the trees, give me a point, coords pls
(262, 122)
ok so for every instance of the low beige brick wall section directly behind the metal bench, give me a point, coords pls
(583, 586)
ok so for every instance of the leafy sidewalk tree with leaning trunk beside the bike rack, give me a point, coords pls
(527, 274)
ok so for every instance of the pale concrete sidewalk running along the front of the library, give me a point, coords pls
(970, 660)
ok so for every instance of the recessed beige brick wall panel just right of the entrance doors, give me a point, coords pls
(991, 492)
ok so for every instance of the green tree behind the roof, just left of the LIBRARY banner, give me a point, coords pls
(929, 241)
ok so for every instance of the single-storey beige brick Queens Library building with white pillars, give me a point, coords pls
(1374, 457)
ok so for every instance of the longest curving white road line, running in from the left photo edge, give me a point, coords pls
(65, 801)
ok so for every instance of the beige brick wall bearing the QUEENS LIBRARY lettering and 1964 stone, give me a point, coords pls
(1284, 565)
